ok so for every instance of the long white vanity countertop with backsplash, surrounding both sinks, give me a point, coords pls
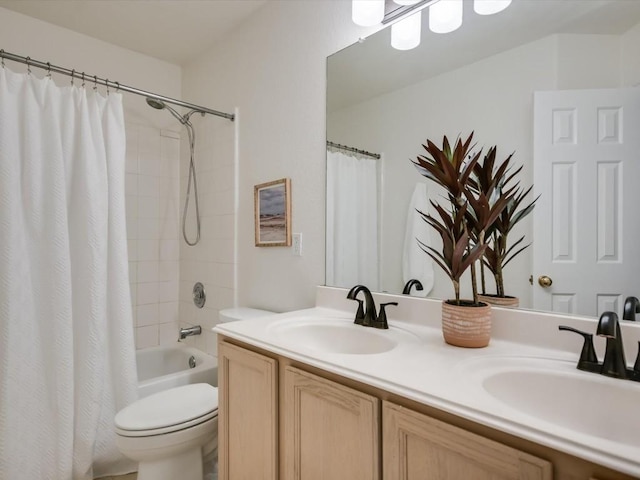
(425, 369)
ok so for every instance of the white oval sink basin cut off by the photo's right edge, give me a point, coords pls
(555, 392)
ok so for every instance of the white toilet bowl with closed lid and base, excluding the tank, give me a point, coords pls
(170, 432)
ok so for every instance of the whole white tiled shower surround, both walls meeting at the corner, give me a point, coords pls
(162, 267)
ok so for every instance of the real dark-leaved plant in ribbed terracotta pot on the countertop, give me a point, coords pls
(463, 224)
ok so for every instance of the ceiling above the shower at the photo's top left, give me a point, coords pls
(176, 31)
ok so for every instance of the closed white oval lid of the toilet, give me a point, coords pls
(169, 408)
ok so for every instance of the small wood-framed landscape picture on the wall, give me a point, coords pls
(273, 213)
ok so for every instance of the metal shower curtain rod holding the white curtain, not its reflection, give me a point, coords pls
(107, 83)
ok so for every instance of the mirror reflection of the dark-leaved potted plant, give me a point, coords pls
(491, 180)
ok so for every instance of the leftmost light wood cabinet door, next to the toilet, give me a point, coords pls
(248, 415)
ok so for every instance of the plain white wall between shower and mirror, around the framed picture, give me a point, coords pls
(273, 69)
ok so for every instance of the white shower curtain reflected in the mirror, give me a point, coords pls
(352, 220)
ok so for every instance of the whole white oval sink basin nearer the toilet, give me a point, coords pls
(340, 336)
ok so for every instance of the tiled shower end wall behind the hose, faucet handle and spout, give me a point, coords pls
(212, 260)
